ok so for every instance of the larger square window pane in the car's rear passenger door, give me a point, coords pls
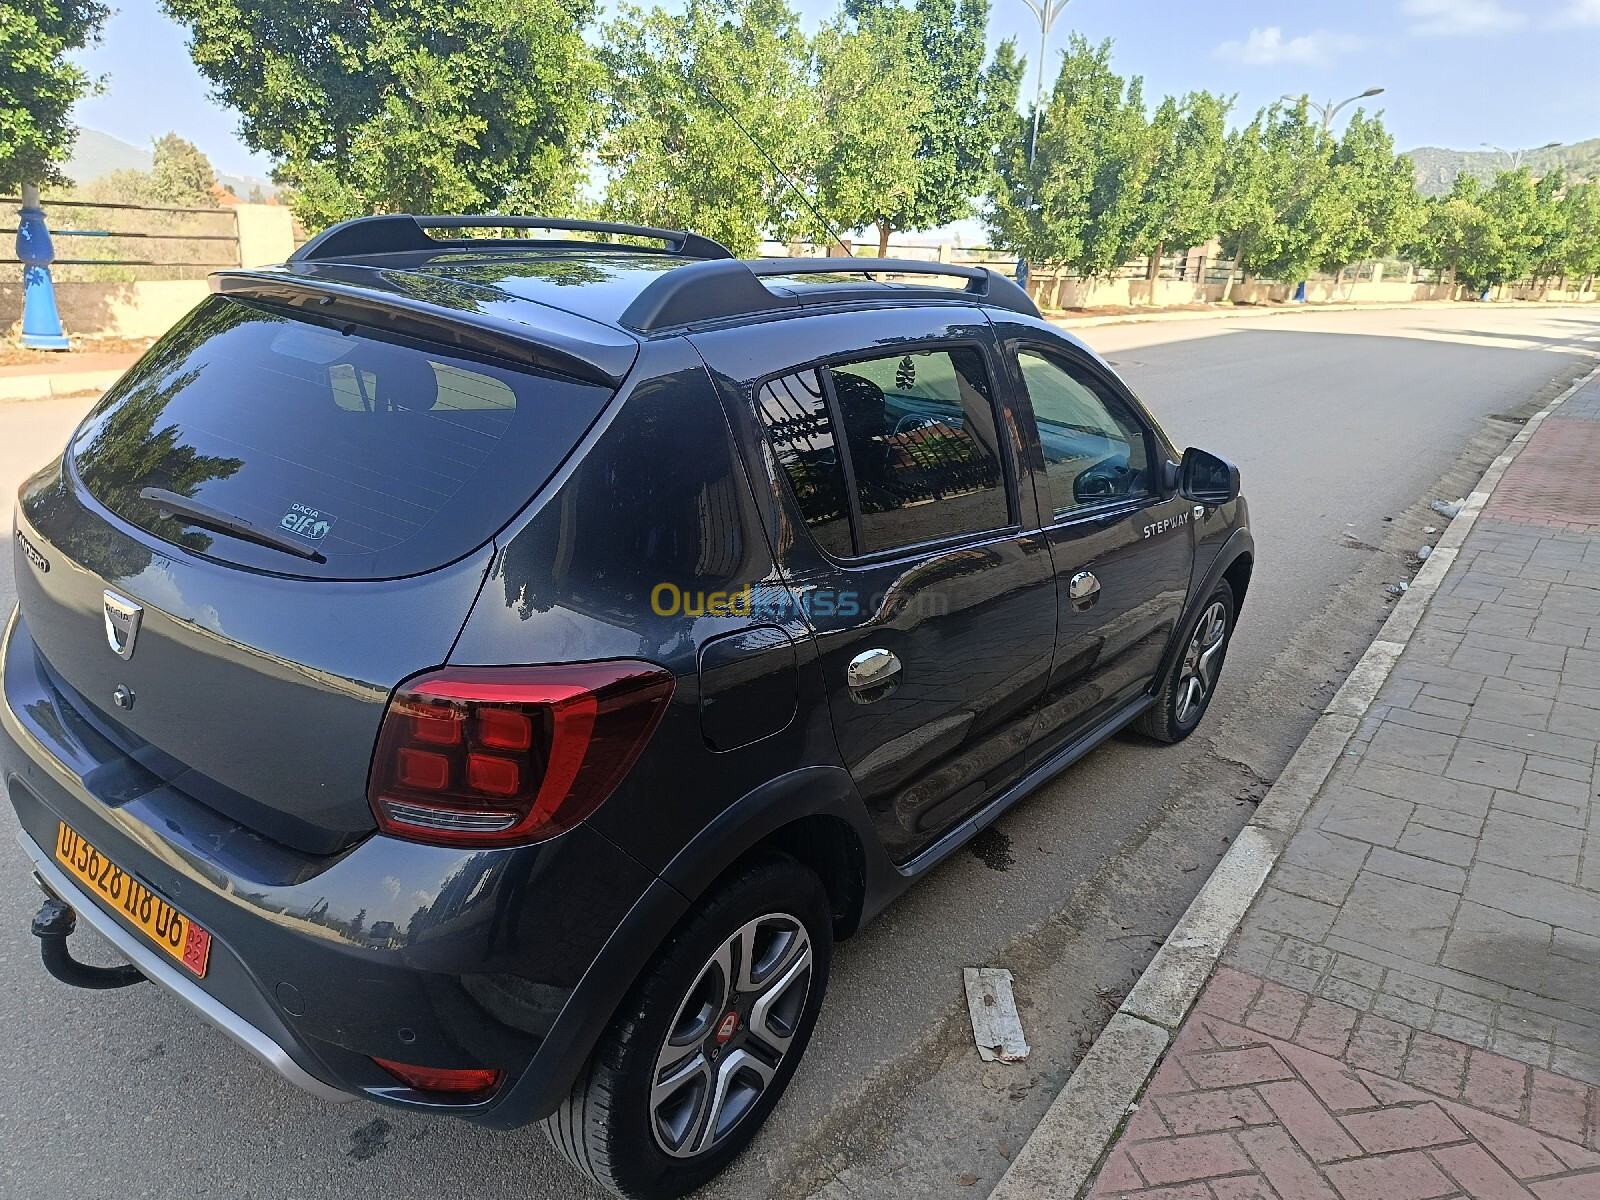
(924, 447)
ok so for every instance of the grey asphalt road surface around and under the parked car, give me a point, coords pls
(1345, 425)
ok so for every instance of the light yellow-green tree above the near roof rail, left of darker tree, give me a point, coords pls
(871, 103)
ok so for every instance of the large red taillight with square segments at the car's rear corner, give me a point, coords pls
(506, 756)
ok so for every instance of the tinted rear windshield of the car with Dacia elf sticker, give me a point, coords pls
(382, 455)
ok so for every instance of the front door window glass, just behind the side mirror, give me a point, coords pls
(1095, 449)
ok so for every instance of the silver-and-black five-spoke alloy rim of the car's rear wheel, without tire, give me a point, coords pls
(730, 1034)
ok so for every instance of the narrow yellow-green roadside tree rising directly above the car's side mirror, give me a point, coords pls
(1182, 194)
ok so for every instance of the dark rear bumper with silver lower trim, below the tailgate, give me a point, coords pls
(420, 954)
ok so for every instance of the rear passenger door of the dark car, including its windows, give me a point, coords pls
(900, 522)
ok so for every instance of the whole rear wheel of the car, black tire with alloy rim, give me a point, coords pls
(708, 1039)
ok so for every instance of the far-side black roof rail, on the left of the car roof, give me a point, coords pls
(402, 231)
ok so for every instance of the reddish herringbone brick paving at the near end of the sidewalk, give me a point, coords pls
(1326, 1127)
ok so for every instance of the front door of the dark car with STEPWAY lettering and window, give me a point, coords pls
(1122, 543)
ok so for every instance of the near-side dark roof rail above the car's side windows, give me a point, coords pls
(702, 292)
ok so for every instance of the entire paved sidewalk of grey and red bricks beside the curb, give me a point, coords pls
(1412, 1006)
